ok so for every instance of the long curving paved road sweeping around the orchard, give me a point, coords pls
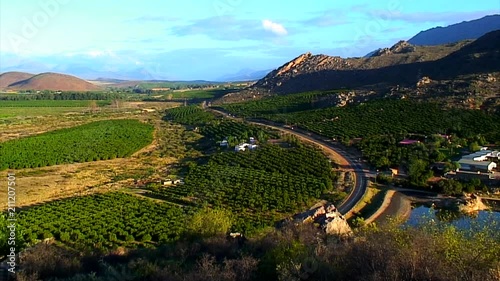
(361, 172)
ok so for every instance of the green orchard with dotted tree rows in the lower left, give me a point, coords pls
(103, 221)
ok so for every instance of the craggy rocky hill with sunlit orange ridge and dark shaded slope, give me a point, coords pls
(460, 69)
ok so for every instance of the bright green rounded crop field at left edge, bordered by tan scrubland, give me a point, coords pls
(100, 140)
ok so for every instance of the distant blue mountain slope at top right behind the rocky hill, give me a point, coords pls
(457, 32)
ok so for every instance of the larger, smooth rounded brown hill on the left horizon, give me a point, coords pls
(54, 82)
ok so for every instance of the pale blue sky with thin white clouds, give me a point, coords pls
(207, 39)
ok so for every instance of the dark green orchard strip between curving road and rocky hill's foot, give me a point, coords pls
(373, 118)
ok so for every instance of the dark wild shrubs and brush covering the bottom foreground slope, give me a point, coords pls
(432, 251)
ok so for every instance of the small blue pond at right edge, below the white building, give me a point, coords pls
(421, 213)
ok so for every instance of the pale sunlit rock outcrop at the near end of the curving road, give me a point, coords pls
(329, 219)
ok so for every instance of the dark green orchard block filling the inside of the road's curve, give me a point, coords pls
(259, 187)
